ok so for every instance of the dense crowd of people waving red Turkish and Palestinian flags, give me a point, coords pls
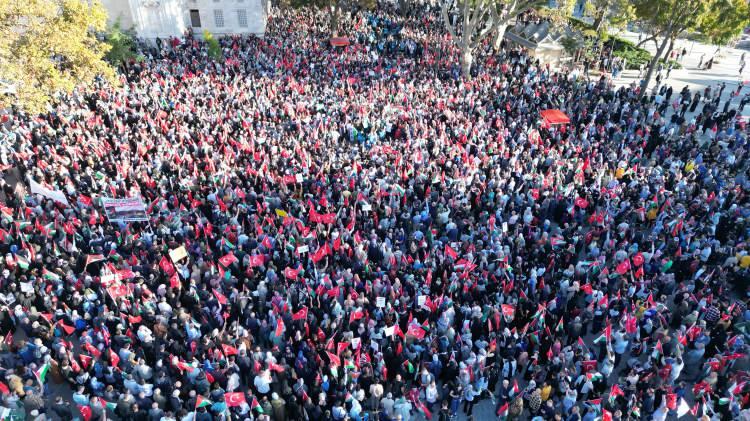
(369, 235)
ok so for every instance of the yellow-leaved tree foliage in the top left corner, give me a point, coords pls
(49, 47)
